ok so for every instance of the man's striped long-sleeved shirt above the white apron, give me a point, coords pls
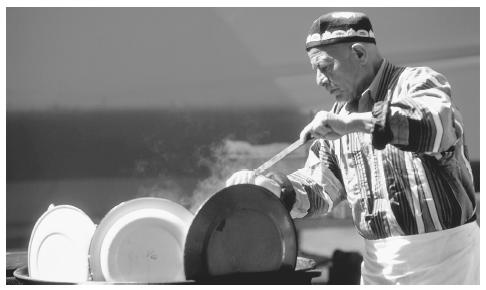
(411, 175)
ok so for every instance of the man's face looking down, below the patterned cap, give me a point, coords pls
(336, 70)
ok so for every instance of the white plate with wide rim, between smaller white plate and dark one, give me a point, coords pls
(141, 240)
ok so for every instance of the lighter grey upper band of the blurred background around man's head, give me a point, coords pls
(203, 58)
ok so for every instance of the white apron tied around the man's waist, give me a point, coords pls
(443, 257)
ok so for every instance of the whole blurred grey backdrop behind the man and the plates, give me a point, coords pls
(109, 104)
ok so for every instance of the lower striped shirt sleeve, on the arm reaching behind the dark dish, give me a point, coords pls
(318, 186)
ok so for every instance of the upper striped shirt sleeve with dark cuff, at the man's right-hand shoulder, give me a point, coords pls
(419, 116)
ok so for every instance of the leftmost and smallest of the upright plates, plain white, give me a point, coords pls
(59, 245)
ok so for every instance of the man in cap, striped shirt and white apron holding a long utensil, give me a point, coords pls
(393, 146)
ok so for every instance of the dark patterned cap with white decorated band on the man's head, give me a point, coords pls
(337, 27)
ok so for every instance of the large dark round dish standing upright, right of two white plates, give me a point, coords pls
(242, 228)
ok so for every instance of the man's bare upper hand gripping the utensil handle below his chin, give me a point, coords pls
(326, 125)
